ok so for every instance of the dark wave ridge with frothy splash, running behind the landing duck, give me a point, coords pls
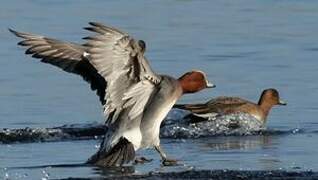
(175, 126)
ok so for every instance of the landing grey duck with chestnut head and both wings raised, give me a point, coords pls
(135, 99)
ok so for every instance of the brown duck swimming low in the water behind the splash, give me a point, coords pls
(230, 105)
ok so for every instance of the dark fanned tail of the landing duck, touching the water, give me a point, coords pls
(122, 153)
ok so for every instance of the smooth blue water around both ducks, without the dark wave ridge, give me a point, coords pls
(244, 46)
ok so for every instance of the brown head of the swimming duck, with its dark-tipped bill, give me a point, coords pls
(270, 97)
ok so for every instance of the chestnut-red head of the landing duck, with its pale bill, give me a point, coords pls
(194, 81)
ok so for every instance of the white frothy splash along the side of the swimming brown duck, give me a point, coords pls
(234, 124)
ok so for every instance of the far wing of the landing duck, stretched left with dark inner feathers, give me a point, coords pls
(67, 56)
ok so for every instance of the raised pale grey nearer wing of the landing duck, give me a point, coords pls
(120, 60)
